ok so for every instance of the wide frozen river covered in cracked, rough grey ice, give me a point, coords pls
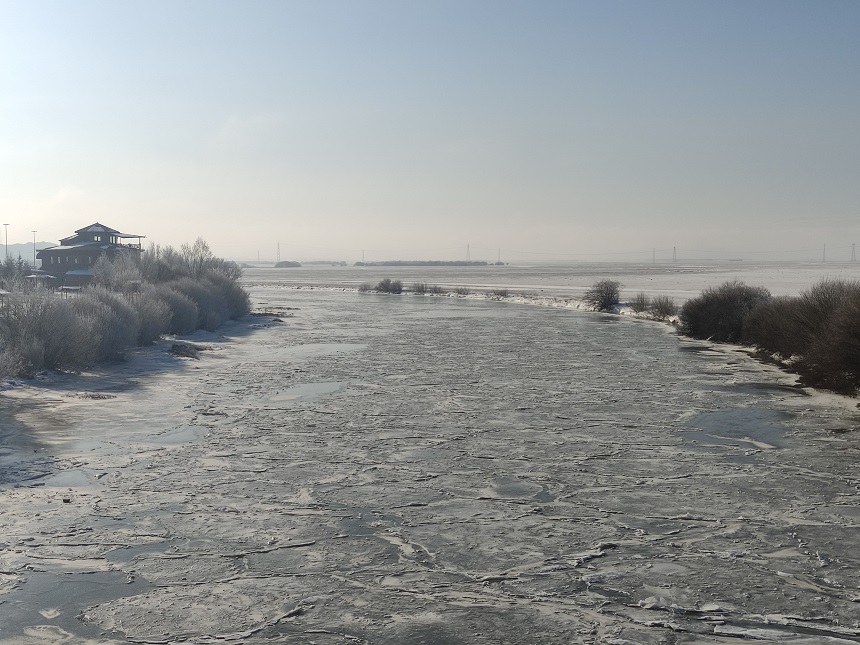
(354, 468)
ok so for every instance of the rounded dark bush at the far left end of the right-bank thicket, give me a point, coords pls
(720, 312)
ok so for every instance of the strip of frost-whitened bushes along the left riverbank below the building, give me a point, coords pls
(129, 303)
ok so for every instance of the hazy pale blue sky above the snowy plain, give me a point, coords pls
(551, 130)
